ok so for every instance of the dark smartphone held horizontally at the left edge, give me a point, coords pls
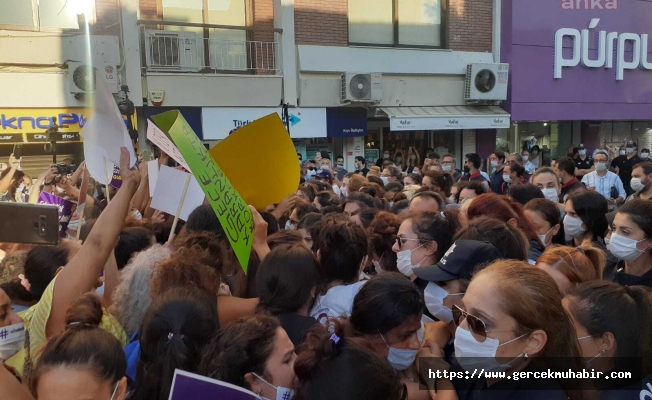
(29, 223)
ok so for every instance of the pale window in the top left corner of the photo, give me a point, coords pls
(37, 15)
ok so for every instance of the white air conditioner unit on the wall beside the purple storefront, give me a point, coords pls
(486, 83)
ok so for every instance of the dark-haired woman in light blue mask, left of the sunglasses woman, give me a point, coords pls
(387, 311)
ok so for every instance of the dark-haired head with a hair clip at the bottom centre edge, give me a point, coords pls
(334, 367)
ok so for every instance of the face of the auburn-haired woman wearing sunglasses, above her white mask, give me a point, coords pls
(482, 302)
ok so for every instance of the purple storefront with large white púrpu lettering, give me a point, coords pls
(580, 72)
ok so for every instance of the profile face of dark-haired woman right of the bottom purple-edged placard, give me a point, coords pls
(280, 365)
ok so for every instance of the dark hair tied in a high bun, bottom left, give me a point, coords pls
(83, 345)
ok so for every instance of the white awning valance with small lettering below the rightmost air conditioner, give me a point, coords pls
(462, 122)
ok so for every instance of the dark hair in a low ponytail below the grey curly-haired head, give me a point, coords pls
(176, 327)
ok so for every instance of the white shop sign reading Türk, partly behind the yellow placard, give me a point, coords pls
(218, 123)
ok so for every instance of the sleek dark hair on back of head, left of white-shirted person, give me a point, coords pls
(286, 278)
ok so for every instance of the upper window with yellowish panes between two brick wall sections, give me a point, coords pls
(400, 23)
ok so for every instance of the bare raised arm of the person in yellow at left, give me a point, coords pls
(82, 271)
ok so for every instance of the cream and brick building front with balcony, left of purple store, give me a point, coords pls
(224, 63)
